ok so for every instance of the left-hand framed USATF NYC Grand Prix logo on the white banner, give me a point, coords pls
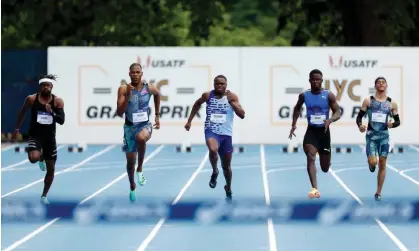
(178, 82)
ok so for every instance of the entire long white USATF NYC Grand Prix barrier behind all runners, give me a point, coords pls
(267, 81)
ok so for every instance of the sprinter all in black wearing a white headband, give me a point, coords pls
(46, 110)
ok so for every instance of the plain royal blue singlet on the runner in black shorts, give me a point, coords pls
(317, 106)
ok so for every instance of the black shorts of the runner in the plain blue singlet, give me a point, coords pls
(317, 137)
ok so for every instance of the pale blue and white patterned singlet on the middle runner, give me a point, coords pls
(219, 115)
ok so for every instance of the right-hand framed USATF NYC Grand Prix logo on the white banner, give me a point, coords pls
(351, 80)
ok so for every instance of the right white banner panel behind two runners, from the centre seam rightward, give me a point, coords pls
(349, 73)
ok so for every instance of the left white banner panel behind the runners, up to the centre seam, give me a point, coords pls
(89, 79)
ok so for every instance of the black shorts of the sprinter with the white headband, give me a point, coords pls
(46, 145)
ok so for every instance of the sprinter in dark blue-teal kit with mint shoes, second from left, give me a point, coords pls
(133, 102)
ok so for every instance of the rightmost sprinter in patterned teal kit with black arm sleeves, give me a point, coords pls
(378, 108)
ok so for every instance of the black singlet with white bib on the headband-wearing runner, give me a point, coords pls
(41, 122)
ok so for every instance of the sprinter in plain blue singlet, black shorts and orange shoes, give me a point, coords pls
(318, 101)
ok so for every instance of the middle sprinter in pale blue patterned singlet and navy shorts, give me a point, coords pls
(221, 106)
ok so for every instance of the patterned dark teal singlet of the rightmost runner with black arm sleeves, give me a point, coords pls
(378, 113)
